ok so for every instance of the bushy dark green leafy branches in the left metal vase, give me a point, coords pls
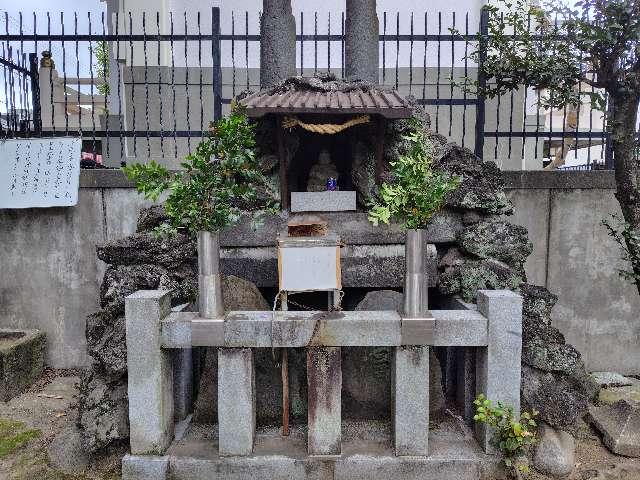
(219, 179)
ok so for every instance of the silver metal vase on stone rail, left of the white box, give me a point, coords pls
(210, 301)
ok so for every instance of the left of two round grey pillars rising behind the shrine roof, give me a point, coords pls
(277, 42)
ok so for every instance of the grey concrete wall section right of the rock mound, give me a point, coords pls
(574, 258)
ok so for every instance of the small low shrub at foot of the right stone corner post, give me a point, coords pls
(511, 436)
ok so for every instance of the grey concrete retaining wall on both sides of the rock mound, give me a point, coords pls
(50, 275)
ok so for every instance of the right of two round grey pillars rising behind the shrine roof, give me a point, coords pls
(361, 40)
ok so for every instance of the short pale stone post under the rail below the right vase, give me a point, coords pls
(411, 400)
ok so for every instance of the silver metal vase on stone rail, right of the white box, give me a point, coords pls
(416, 293)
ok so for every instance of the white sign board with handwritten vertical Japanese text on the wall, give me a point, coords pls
(39, 172)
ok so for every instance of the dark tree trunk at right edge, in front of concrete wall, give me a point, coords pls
(627, 166)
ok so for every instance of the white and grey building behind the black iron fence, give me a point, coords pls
(168, 85)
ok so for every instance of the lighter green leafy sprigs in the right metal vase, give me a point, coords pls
(416, 192)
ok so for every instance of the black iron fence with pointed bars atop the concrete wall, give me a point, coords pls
(146, 85)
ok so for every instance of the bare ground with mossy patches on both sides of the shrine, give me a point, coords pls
(28, 423)
